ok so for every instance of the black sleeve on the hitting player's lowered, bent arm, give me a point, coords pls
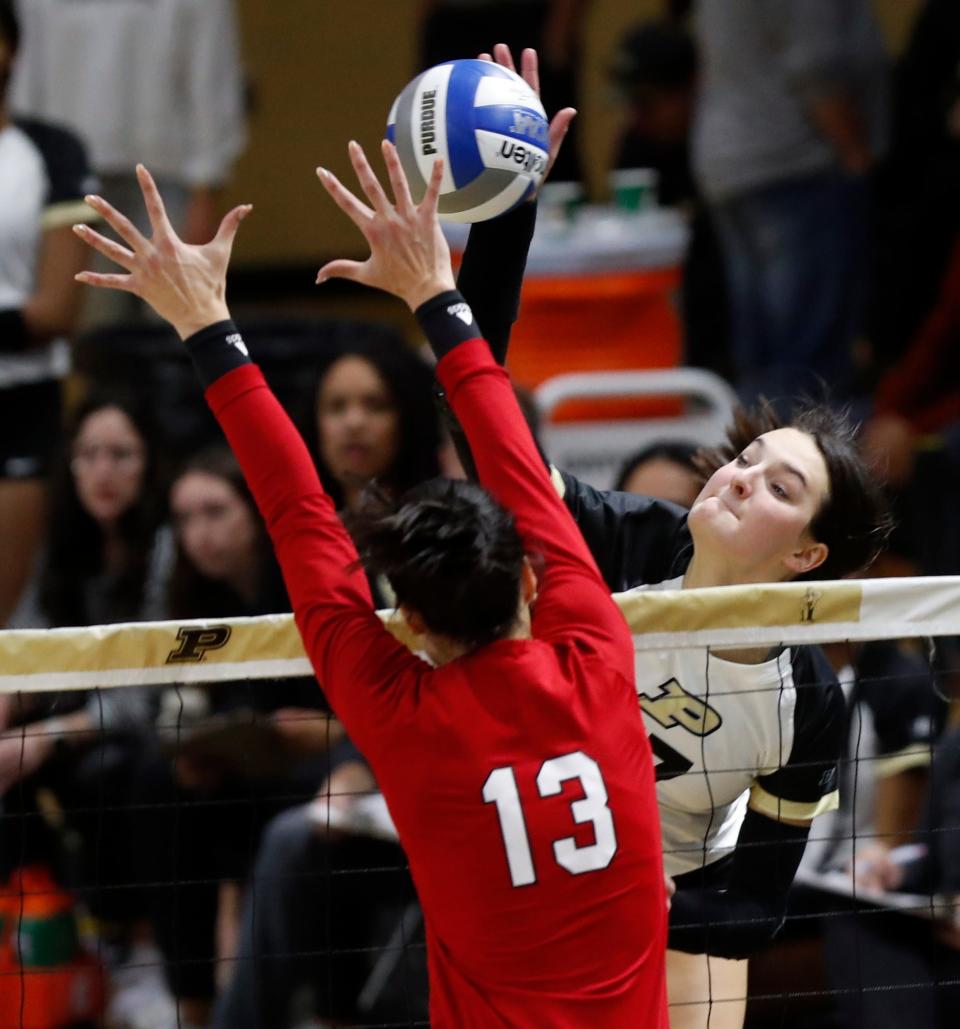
(738, 921)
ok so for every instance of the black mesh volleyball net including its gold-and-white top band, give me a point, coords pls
(126, 827)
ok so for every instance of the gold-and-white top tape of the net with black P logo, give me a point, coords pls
(268, 648)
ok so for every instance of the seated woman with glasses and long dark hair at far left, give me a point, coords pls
(106, 559)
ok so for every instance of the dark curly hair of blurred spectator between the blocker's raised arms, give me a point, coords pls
(410, 383)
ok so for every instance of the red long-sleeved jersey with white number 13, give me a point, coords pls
(519, 777)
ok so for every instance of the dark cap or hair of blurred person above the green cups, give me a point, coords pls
(657, 55)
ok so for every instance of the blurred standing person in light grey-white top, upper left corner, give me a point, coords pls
(172, 73)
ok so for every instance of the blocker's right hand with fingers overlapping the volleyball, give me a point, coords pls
(409, 255)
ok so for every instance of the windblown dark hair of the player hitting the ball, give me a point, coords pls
(855, 520)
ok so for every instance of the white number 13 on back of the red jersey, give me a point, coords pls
(501, 789)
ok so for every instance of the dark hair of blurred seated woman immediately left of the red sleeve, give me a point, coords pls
(194, 595)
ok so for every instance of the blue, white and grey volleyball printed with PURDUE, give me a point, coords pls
(487, 125)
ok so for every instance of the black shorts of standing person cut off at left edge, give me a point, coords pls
(30, 430)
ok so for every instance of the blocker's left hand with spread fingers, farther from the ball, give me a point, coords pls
(185, 285)
